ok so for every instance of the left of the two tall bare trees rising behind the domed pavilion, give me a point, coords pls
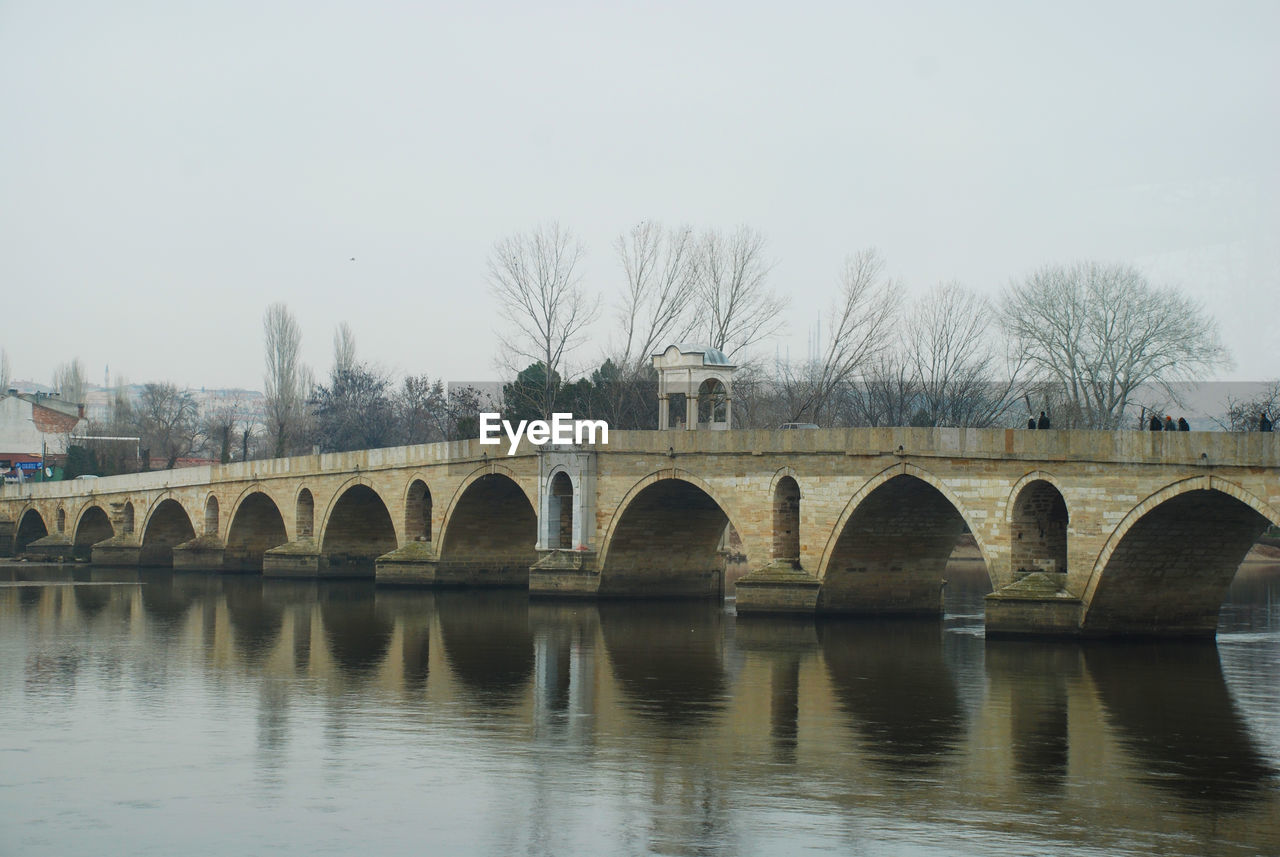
(661, 268)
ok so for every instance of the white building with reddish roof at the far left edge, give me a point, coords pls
(35, 430)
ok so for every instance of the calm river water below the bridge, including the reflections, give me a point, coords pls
(193, 714)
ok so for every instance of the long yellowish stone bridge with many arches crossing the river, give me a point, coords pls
(1082, 533)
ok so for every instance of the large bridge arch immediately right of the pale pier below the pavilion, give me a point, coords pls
(668, 539)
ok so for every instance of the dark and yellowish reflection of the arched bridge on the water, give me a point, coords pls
(871, 713)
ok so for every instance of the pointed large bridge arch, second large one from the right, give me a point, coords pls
(892, 546)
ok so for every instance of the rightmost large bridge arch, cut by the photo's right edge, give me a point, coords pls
(1167, 566)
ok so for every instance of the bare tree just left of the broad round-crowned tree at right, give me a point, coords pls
(964, 373)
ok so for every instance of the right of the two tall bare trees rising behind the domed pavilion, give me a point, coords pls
(737, 308)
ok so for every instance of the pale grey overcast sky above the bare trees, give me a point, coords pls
(171, 168)
